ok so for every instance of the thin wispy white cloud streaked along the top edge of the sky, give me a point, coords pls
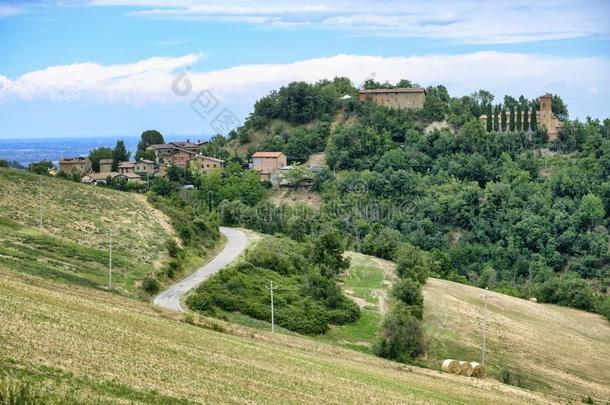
(468, 21)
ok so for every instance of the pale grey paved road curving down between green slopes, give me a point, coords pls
(236, 243)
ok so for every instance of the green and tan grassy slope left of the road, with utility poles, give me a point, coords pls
(73, 244)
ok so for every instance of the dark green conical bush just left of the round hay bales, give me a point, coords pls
(401, 336)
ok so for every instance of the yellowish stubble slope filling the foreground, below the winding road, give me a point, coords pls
(93, 346)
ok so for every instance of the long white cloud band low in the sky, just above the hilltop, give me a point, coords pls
(150, 81)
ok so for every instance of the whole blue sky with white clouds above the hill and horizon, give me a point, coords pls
(185, 67)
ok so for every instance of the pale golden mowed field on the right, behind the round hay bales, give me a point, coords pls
(548, 348)
